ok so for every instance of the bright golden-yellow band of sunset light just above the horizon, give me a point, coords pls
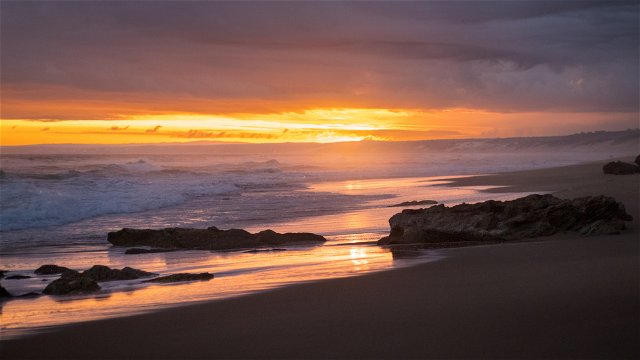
(316, 125)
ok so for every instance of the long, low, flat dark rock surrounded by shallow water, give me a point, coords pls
(206, 239)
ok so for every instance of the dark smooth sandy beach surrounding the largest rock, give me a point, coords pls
(565, 297)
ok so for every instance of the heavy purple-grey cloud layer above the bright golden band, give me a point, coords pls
(502, 56)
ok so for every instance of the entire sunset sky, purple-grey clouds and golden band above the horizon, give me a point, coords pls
(165, 71)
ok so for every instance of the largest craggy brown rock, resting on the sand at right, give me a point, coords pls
(530, 216)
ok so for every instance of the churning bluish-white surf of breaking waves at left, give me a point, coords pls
(44, 198)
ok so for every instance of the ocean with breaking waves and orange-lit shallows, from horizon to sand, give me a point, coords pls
(57, 204)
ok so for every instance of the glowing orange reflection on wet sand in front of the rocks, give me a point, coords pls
(235, 275)
